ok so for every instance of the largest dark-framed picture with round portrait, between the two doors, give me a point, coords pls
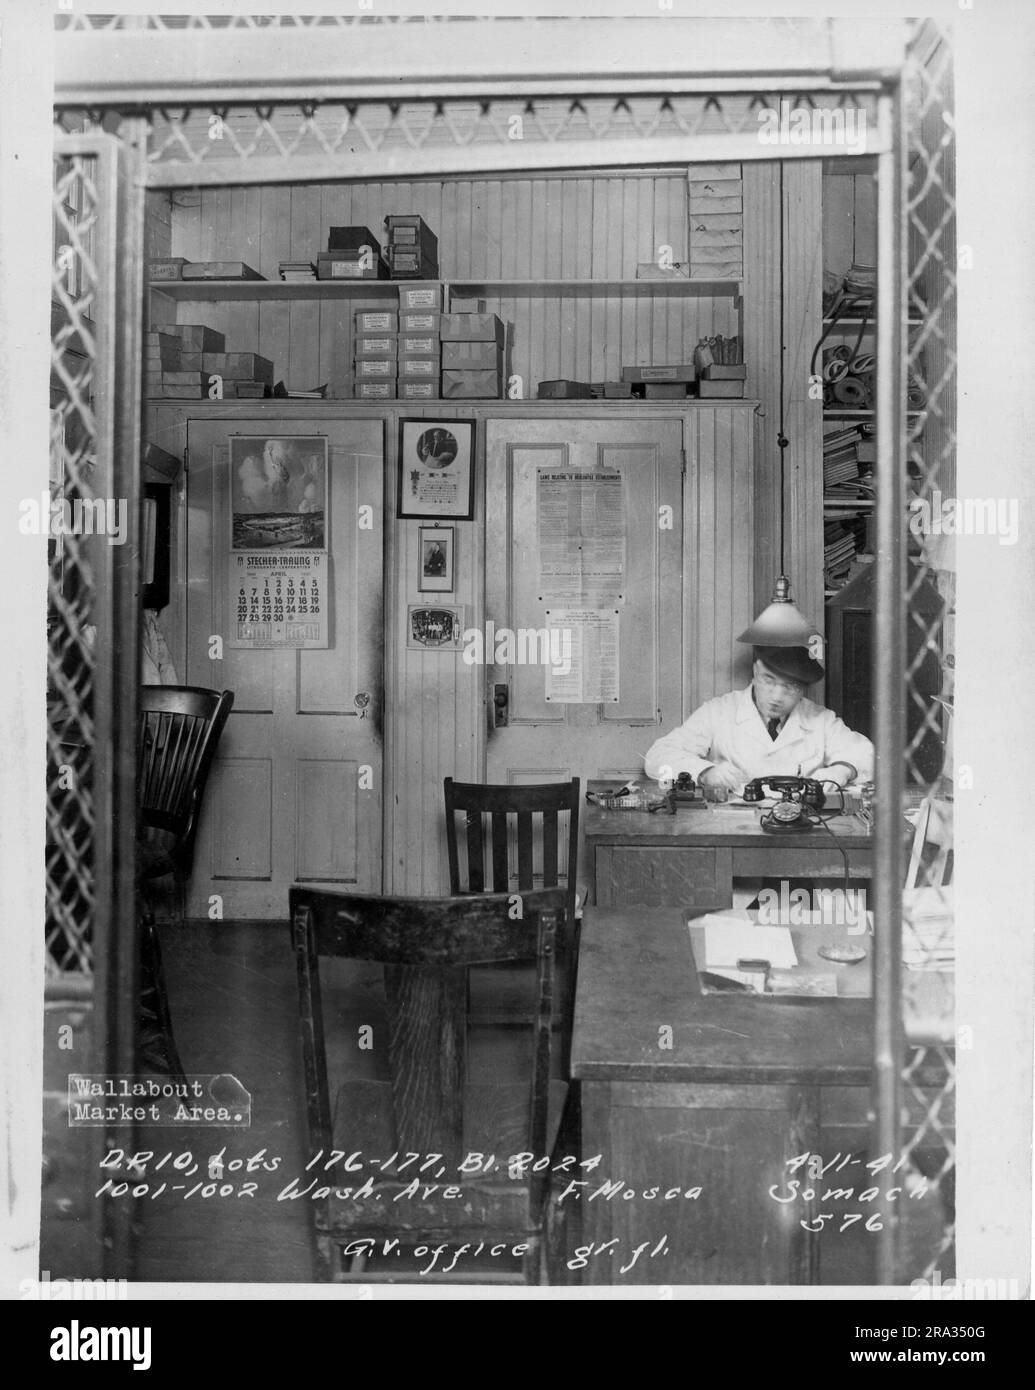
(437, 469)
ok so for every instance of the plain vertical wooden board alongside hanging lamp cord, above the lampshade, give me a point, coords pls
(762, 357)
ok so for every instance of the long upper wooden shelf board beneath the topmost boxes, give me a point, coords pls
(255, 290)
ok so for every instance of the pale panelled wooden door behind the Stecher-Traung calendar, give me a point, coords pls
(297, 790)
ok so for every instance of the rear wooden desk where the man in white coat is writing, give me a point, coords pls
(691, 860)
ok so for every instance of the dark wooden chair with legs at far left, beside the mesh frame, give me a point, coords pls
(179, 732)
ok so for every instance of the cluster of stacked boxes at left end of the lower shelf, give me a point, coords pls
(190, 361)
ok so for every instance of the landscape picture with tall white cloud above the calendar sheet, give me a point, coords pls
(279, 493)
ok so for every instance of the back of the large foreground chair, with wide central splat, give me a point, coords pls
(426, 946)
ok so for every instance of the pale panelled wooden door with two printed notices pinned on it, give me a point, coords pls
(544, 740)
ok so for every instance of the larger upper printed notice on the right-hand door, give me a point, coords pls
(581, 536)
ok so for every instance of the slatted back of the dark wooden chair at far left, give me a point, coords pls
(179, 732)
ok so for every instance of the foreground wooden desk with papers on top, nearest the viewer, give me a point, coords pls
(719, 1103)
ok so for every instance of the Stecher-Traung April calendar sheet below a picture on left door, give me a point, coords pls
(279, 600)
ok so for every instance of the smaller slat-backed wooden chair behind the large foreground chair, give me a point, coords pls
(524, 851)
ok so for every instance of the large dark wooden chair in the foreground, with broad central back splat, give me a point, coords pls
(427, 1103)
